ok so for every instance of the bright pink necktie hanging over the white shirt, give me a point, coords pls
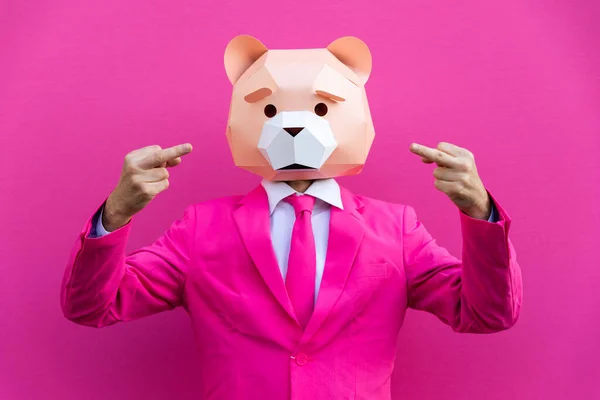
(300, 278)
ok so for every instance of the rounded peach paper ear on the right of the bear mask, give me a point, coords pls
(355, 54)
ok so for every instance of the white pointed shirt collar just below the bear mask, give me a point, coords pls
(326, 190)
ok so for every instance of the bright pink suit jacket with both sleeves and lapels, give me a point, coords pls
(218, 263)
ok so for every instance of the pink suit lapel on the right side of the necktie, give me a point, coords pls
(346, 231)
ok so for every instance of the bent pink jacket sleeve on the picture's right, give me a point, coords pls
(481, 294)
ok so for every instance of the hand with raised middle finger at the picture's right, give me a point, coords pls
(456, 176)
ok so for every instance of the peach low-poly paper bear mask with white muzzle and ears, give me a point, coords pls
(299, 114)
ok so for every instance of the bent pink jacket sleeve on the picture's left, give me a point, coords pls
(102, 285)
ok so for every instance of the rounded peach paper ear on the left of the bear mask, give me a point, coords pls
(241, 52)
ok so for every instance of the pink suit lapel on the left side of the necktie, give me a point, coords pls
(252, 219)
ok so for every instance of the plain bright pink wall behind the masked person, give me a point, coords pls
(84, 82)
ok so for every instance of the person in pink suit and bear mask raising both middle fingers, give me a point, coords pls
(298, 289)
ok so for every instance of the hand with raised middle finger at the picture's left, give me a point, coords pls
(144, 175)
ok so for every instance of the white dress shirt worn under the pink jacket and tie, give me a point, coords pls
(282, 217)
